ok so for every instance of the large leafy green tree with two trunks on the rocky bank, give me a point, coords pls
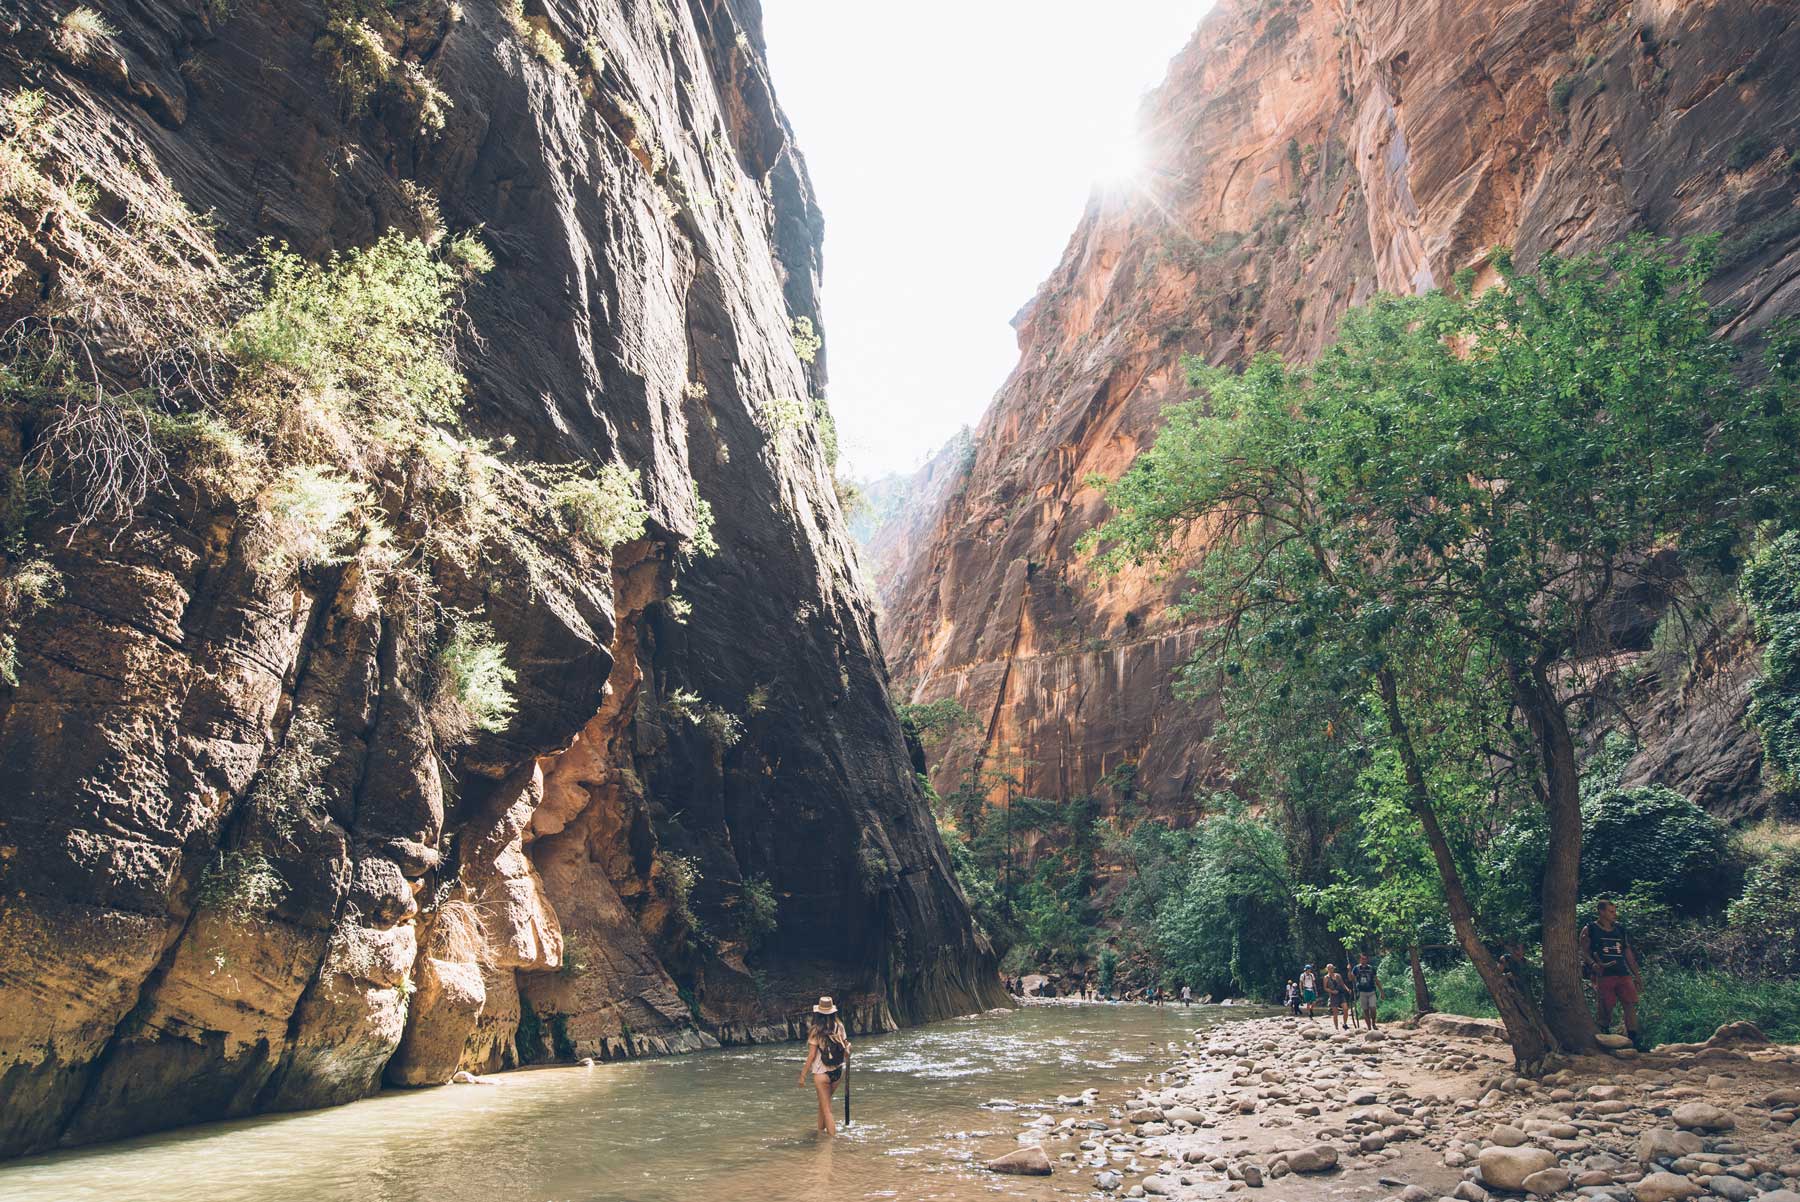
(1471, 480)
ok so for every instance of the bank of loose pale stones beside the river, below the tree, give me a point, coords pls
(1432, 1113)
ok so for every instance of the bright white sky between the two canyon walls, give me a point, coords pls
(953, 145)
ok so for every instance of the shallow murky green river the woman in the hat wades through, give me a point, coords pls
(726, 1127)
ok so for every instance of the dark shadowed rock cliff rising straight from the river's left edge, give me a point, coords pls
(514, 901)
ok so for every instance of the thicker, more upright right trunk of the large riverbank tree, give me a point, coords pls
(1565, 1003)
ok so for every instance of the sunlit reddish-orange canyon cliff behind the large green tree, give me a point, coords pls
(1302, 156)
